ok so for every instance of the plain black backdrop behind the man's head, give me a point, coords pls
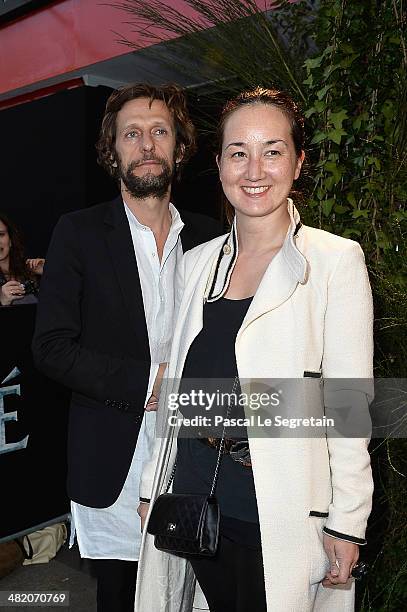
(50, 166)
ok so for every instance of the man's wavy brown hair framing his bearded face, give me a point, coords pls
(175, 100)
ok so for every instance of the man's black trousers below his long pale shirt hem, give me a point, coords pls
(116, 584)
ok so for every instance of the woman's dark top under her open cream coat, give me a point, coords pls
(212, 356)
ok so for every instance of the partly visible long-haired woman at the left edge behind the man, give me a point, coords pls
(18, 277)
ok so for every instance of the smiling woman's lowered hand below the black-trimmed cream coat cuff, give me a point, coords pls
(342, 558)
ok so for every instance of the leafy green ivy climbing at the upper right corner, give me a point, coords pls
(357, 107)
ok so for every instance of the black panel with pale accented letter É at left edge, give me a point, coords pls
(33, 489)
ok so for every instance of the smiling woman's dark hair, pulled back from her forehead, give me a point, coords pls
(261, 95)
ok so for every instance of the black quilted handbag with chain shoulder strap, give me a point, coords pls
(185, 524)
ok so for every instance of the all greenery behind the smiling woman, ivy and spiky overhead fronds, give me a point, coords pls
(345, 62)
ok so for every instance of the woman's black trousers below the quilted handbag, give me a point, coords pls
(233, 580)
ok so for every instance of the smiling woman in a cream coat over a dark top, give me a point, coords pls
(287, 301)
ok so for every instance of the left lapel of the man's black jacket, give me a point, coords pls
(120, 245)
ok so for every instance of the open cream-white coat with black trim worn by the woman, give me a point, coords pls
(311, 312)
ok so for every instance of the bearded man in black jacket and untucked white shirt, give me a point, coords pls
(105, 319)
